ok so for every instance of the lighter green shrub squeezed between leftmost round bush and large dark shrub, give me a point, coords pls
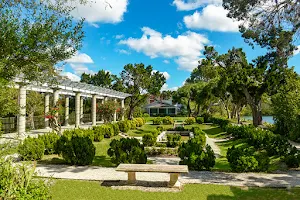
(50, 142)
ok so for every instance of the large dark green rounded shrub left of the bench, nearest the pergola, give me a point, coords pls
(76, 148)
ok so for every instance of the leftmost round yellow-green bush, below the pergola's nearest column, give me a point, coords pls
(31, 149)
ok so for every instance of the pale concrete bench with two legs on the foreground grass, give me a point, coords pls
(173, 170)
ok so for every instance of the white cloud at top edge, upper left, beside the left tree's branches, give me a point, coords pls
(100, 11)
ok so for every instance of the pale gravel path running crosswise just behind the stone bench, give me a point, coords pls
(289, 179)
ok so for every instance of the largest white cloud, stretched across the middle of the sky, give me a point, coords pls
(187, 46)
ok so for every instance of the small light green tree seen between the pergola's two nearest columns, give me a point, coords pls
(34, 105)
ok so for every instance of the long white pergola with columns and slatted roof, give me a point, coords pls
(68, 88)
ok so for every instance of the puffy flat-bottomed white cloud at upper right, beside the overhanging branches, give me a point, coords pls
(212, 18)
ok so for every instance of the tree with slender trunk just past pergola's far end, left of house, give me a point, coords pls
(139, 81)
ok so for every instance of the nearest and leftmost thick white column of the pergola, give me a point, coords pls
(22, 111)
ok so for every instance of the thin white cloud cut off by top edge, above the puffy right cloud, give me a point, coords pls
(194, 4)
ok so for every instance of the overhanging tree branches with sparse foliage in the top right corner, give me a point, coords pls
(261, 16)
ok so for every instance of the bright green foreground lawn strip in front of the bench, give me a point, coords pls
(89, 190)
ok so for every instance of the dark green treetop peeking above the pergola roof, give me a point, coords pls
(102, 78)
